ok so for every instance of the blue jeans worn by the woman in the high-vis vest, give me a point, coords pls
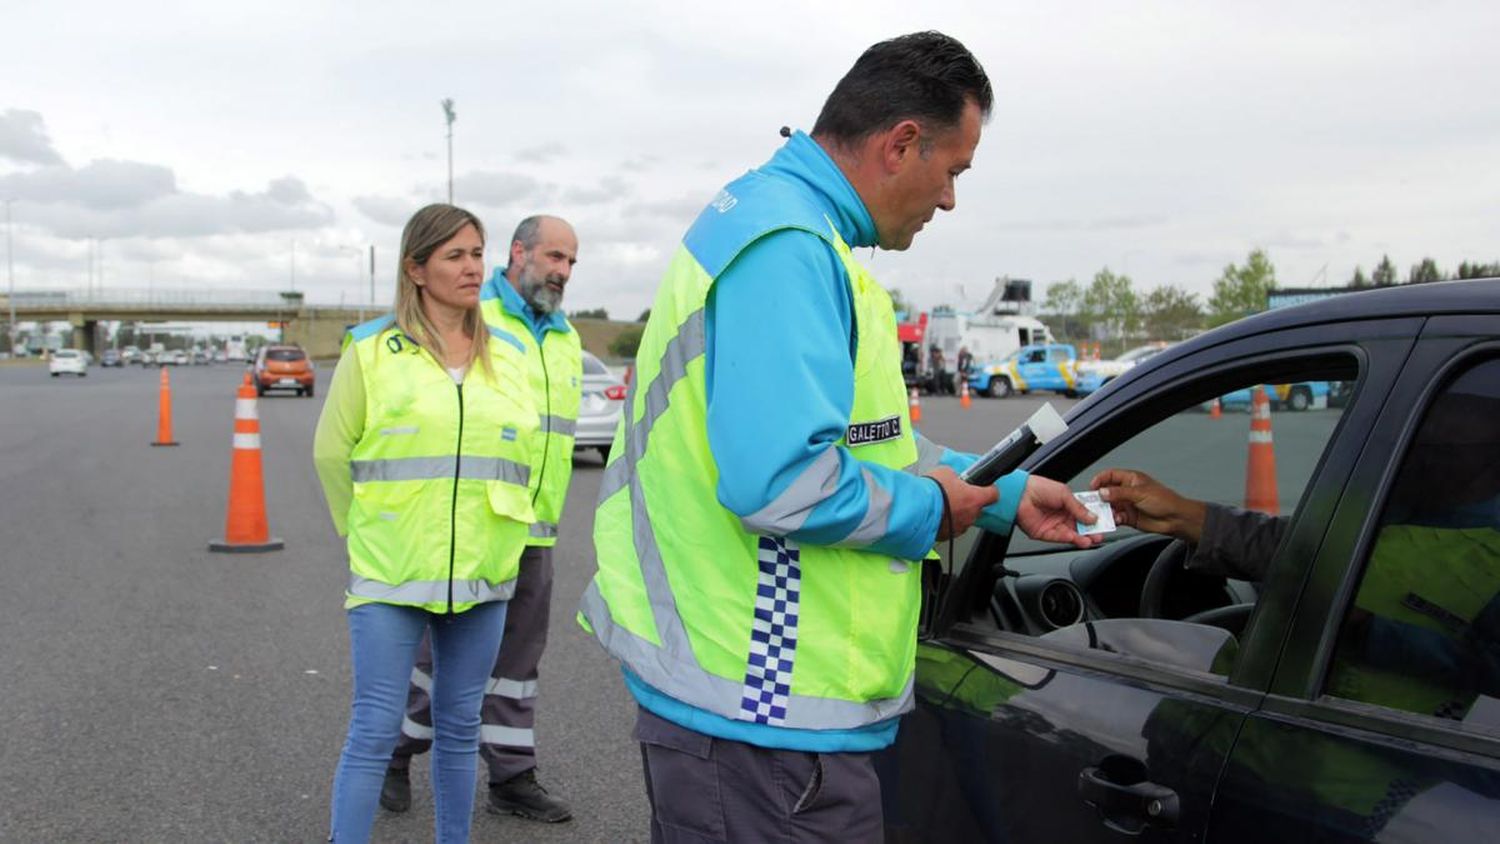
(383, 639)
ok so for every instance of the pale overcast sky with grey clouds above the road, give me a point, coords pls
(206, 146)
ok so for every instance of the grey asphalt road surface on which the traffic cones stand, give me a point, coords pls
(155, 692)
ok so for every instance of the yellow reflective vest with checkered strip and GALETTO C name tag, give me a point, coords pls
(691, 602)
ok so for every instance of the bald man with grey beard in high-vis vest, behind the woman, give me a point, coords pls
(523, 307)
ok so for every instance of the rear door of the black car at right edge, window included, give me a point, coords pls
(1384, 719)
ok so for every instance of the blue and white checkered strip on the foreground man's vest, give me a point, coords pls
(773, 635)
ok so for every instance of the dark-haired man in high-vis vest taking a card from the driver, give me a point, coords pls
(767, 503)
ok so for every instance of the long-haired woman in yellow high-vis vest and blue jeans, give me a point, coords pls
(424, 452)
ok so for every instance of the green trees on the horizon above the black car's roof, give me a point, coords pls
(1111, 308)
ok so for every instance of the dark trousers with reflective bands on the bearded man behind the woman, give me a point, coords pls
(508, 738)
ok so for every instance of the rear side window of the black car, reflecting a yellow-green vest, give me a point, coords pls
(1424, 632)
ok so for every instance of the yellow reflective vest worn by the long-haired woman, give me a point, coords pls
(442, 504)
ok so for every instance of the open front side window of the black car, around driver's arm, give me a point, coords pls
(1250, 465)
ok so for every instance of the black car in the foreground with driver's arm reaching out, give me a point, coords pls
(1351, 693)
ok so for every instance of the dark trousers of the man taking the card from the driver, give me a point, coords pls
(704, 789)
